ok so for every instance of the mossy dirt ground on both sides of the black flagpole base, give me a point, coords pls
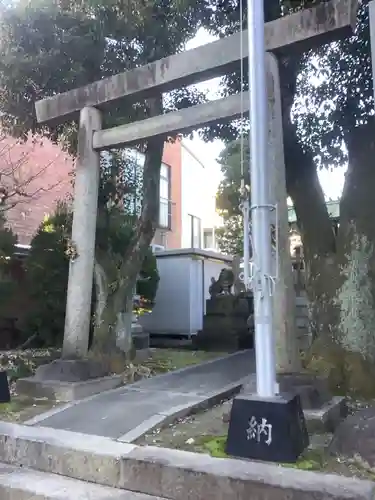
(205, 432)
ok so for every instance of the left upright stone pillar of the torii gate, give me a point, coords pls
(81, 269)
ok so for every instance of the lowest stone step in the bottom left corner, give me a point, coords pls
(18, 483)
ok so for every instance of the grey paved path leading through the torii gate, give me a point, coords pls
(128, 412)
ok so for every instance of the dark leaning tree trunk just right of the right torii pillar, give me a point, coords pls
(319, 241)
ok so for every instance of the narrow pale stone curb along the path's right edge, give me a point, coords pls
(163, 419)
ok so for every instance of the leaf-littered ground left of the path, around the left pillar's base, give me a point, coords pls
(20, 364)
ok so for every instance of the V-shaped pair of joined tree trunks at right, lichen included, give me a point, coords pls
(340, 271)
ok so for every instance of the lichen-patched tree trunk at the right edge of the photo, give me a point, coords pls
(356, 239)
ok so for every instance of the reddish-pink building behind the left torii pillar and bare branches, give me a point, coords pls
(44, 173)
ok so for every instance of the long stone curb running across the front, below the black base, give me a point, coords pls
(171, 474)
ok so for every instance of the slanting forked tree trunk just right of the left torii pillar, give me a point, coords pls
(114, 303)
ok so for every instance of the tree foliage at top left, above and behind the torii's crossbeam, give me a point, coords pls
(75, 43)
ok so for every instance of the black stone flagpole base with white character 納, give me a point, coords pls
(273, 430)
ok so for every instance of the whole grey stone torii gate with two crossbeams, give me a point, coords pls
(300, 31)
